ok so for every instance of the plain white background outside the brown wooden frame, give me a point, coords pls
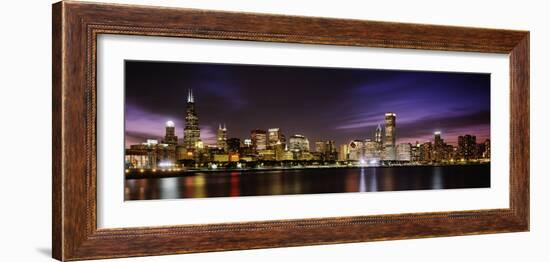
(25, 84)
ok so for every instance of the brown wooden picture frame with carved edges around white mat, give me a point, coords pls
(76, 26)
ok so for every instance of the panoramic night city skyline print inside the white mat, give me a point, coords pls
(201, 130)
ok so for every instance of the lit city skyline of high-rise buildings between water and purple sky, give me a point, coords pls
(272, 145)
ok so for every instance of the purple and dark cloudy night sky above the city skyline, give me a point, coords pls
(320, 103)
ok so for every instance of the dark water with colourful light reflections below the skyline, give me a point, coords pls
(308, 181)
